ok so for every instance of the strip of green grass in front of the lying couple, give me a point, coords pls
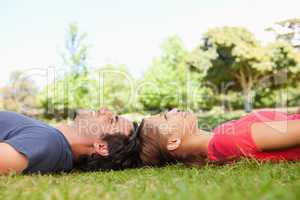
(244, 180)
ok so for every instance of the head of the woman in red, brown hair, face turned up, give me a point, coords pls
(168, 138)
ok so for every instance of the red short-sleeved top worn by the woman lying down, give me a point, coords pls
(233, 139)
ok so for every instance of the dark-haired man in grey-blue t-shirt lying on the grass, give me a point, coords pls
(95, 140)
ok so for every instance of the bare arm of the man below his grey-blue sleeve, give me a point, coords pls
(11, 160)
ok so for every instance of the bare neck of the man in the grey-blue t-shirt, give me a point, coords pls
(80, 145)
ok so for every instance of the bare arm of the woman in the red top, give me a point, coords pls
(276, 135)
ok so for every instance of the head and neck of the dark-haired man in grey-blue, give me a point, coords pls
(102, 140)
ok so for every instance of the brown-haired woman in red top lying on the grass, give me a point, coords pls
(175, 137)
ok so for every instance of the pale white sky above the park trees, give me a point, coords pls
(32, 32)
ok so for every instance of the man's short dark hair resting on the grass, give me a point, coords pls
(123, 153)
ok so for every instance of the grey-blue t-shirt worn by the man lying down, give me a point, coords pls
(45, 147)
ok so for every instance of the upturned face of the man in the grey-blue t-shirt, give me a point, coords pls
(101, 122)
